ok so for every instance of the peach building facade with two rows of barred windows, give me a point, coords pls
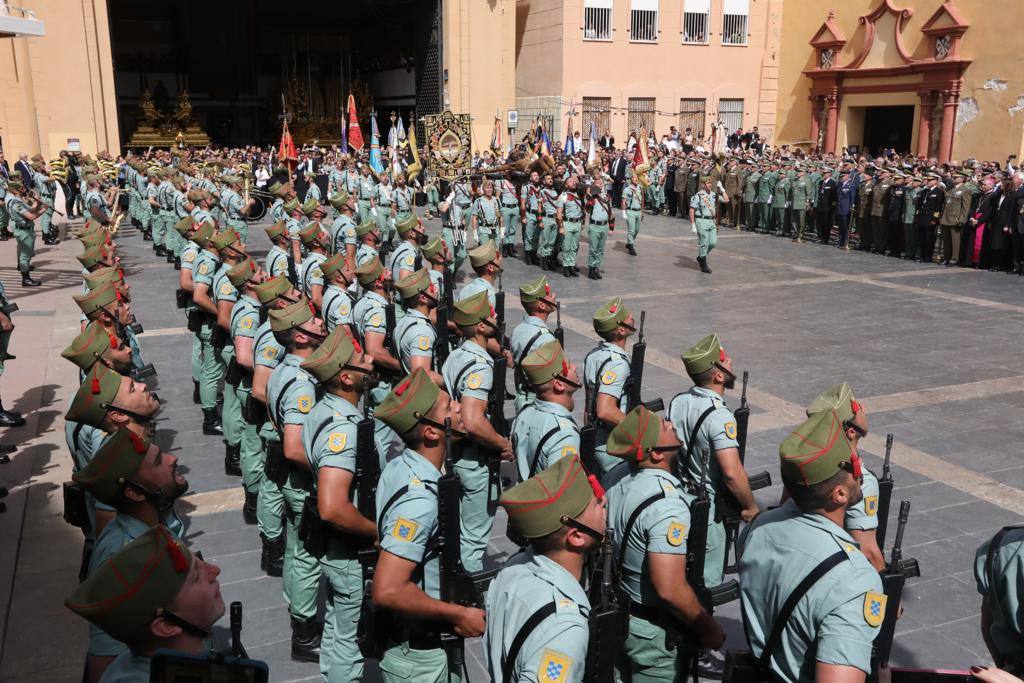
(627, 65)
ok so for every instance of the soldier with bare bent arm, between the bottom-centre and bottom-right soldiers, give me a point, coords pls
(651, 515)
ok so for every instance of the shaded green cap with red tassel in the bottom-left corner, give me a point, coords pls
(124, 594)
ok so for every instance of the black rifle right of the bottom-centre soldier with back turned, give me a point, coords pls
(608, 628)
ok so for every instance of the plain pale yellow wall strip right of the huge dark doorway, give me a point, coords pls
(480, 57)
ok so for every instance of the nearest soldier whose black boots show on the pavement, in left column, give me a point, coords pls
(291, 395)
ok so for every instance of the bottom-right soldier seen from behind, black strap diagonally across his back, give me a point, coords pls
(835, 624)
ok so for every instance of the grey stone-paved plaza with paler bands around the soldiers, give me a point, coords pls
(932, 353)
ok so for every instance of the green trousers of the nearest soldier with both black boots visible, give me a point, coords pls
(303, 571)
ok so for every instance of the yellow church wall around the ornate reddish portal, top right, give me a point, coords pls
(991, 124)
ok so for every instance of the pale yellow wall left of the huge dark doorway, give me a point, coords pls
(60, 87)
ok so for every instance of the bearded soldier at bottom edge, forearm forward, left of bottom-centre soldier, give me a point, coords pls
(408, 572)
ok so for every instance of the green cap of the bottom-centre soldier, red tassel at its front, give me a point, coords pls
(538, 505)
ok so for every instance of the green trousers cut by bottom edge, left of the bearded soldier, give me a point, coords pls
(340, 658)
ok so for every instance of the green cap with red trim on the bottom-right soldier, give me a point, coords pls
(816, 450)
